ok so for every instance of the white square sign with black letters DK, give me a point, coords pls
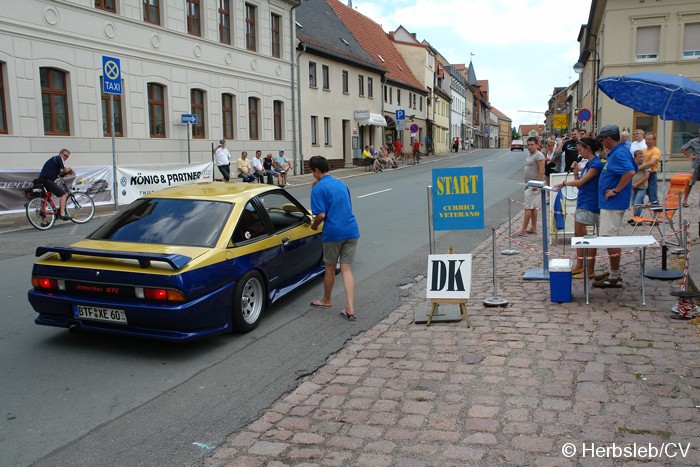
(449, 276)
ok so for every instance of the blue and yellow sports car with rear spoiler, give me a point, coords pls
(180, 264)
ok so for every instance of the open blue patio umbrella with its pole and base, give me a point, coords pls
(671, 97)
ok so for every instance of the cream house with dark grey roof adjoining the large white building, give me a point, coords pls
(340, 88)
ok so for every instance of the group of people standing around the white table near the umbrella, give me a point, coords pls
(607, 169)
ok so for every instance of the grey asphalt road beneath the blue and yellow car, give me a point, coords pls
(90, 399)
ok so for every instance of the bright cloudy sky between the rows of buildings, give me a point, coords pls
(524, 48)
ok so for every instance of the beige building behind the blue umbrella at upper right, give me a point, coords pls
(628, 36)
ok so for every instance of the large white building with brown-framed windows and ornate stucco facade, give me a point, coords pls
(228, 62)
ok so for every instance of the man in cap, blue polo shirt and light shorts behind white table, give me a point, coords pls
(614, 193)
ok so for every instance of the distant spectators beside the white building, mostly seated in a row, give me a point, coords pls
(258, 168)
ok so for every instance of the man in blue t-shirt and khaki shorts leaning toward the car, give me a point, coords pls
(332, 205)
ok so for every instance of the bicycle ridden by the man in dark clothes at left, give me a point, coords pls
(42, 212)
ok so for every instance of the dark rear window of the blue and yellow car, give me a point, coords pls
(167, 222)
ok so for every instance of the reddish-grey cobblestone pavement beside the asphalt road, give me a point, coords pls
(527, 385)
